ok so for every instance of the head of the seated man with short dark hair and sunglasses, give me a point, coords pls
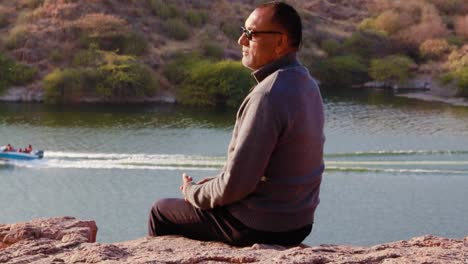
(271, 31)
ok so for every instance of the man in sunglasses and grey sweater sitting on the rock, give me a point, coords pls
(268, 190)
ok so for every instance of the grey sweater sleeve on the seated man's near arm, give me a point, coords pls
(257, 132)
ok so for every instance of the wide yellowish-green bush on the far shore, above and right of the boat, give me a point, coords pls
(112, 76)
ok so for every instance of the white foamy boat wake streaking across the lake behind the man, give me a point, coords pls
(393, 162)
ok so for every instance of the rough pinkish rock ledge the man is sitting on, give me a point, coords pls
(68, 240)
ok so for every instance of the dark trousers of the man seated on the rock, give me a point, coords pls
(178, 217)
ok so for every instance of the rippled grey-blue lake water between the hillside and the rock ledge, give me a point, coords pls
(395, 168)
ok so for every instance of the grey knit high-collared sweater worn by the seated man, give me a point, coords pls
(274, 165)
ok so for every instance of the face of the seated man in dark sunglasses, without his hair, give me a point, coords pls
(261, 50)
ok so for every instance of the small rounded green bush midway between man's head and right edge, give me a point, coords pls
(395, 68)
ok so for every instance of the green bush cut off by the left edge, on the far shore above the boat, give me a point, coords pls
(12, 73)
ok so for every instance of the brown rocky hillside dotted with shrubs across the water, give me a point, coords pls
(130, 49)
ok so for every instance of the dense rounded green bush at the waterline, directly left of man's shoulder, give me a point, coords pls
(224, 83)
